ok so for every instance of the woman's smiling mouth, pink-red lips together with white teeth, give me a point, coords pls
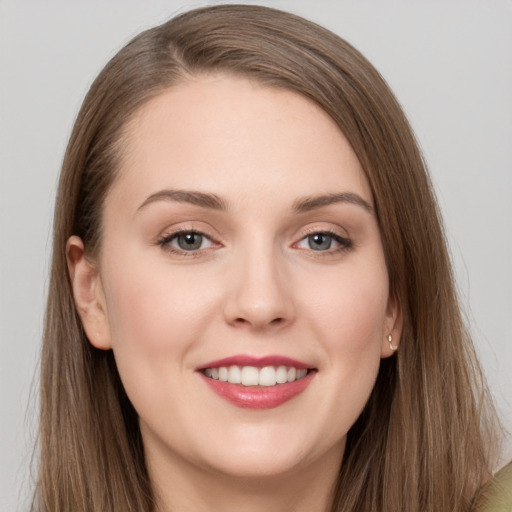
(257, 383)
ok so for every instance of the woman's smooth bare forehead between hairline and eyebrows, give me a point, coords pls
(232, 137)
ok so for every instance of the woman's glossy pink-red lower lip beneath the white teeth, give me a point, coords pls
(259, 397)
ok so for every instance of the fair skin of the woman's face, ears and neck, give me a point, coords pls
(254, 287)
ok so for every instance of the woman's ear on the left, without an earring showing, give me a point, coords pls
(88, 294)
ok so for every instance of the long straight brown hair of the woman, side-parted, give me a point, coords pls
(423, 441)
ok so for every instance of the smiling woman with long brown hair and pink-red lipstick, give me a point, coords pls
(251, 303)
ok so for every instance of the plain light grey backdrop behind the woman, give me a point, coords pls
(449, 62)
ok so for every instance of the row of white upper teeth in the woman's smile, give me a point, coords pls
(252, 376)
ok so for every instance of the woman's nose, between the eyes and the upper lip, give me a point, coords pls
(259, 293)
